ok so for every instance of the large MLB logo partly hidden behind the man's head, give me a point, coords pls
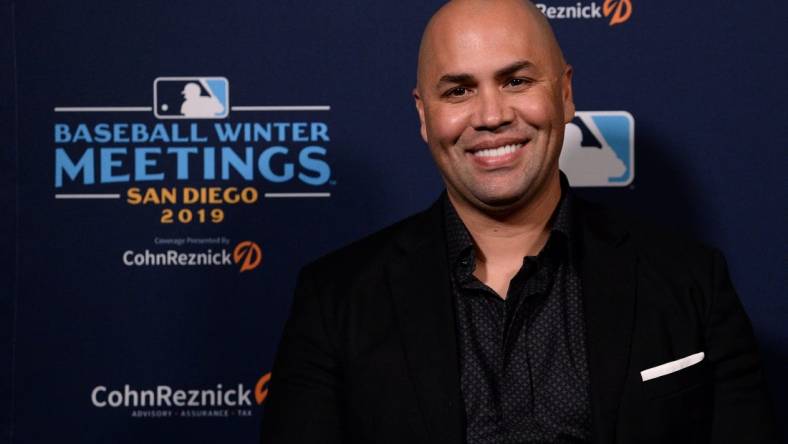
(599, 149)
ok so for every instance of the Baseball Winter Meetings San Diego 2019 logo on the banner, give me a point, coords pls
(191, 155)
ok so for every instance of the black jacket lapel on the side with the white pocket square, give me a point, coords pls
(608, 265)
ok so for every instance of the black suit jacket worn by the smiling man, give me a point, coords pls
(369, 354)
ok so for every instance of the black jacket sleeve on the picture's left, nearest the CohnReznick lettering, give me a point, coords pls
(303, 404)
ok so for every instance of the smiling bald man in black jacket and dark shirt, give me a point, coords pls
(510, 311)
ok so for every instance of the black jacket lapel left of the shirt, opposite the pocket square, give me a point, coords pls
(421, 292)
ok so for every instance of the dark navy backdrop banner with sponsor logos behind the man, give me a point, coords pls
(169, 166)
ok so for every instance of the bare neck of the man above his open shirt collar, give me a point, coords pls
(503, 240)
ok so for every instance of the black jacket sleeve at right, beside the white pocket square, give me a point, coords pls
(742, 408)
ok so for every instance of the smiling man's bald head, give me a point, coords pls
(493, 96)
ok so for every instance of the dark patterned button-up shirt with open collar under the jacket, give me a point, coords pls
(523, 368)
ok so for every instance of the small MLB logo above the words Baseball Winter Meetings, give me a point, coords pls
(191, 97)
